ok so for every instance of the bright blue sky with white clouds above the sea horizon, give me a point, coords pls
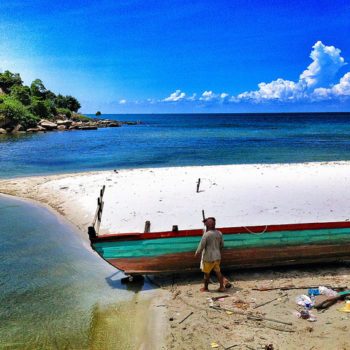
(183, 56)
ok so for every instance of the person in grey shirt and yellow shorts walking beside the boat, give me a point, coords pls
(210, 246)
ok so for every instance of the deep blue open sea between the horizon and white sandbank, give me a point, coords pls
(178, 140)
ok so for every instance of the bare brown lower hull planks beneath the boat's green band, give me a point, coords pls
(235, 259)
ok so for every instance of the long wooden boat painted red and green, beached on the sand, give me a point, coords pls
(245, 247)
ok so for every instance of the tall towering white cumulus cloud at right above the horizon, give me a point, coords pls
(326, 62)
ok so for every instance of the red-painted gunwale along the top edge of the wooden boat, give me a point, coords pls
(225, 231)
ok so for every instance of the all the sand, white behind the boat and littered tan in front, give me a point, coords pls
(236, 195)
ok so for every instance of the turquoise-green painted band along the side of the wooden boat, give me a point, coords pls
(162, 246)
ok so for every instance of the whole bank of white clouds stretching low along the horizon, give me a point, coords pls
(316, 83)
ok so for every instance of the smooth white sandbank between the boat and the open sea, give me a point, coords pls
(235, 194)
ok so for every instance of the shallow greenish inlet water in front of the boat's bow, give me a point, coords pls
(55, 292)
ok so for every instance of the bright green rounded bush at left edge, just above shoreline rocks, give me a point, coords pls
(17, 113)
